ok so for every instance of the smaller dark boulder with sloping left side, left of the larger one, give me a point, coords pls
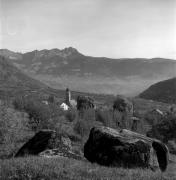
(48, 143)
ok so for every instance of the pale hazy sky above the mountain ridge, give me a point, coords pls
(109, 28)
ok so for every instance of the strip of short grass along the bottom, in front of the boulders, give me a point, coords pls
(38, 168)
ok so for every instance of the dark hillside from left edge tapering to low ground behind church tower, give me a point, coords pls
(13, 82)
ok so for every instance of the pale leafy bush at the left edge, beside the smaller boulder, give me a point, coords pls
(13, 130)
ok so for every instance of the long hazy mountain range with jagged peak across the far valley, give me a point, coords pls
(68, 67)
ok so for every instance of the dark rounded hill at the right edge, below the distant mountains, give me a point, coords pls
(164, 91)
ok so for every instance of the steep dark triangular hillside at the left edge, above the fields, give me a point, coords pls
(13, 81)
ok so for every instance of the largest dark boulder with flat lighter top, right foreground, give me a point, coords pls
(110, 147)
